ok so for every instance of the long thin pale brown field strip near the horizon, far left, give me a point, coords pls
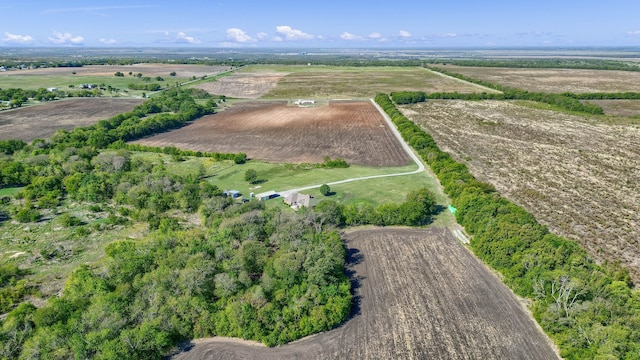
(163, 70)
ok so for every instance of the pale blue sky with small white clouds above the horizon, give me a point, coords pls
(324, 23)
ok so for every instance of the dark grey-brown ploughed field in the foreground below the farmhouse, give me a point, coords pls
(419, 294)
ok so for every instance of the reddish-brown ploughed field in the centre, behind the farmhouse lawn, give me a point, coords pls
(274, 131)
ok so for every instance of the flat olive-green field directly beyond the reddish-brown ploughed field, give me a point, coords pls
(336, 82)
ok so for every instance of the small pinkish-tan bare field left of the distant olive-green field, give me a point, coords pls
(243, 85)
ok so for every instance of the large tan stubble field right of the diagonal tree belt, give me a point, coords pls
(576, 175)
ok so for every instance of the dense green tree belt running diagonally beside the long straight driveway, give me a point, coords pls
(589, 310)
